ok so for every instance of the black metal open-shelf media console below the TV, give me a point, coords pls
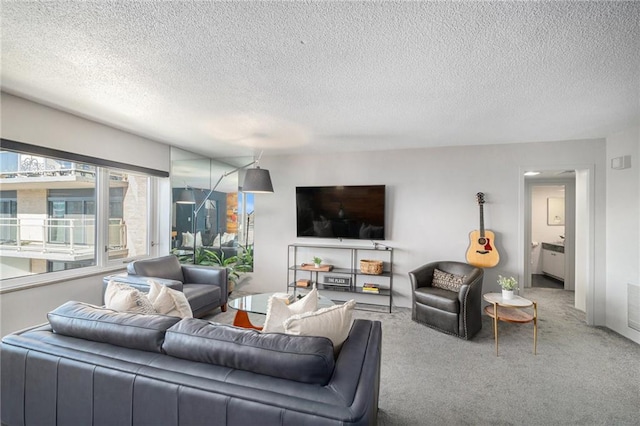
(340, 278)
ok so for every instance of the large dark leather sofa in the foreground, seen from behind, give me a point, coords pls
(94, 366)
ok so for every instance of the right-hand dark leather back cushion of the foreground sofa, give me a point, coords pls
(300, 358)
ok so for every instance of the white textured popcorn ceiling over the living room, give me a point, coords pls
(232, 78)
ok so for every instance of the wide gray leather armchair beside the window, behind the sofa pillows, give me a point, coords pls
(206, 287)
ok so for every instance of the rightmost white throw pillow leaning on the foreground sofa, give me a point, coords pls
(333, 322)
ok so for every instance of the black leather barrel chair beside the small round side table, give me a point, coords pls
(457, 313)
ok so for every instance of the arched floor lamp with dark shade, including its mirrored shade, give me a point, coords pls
(256, 181)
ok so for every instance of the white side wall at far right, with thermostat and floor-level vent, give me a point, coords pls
(623, 230)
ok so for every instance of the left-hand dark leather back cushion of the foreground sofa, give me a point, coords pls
(89, 322)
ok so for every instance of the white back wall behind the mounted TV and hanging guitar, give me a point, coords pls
(431, 203)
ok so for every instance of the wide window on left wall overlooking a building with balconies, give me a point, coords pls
(51, 220)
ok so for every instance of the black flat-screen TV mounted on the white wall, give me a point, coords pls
(354, 212)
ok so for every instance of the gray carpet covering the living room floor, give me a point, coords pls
(581, 376)
